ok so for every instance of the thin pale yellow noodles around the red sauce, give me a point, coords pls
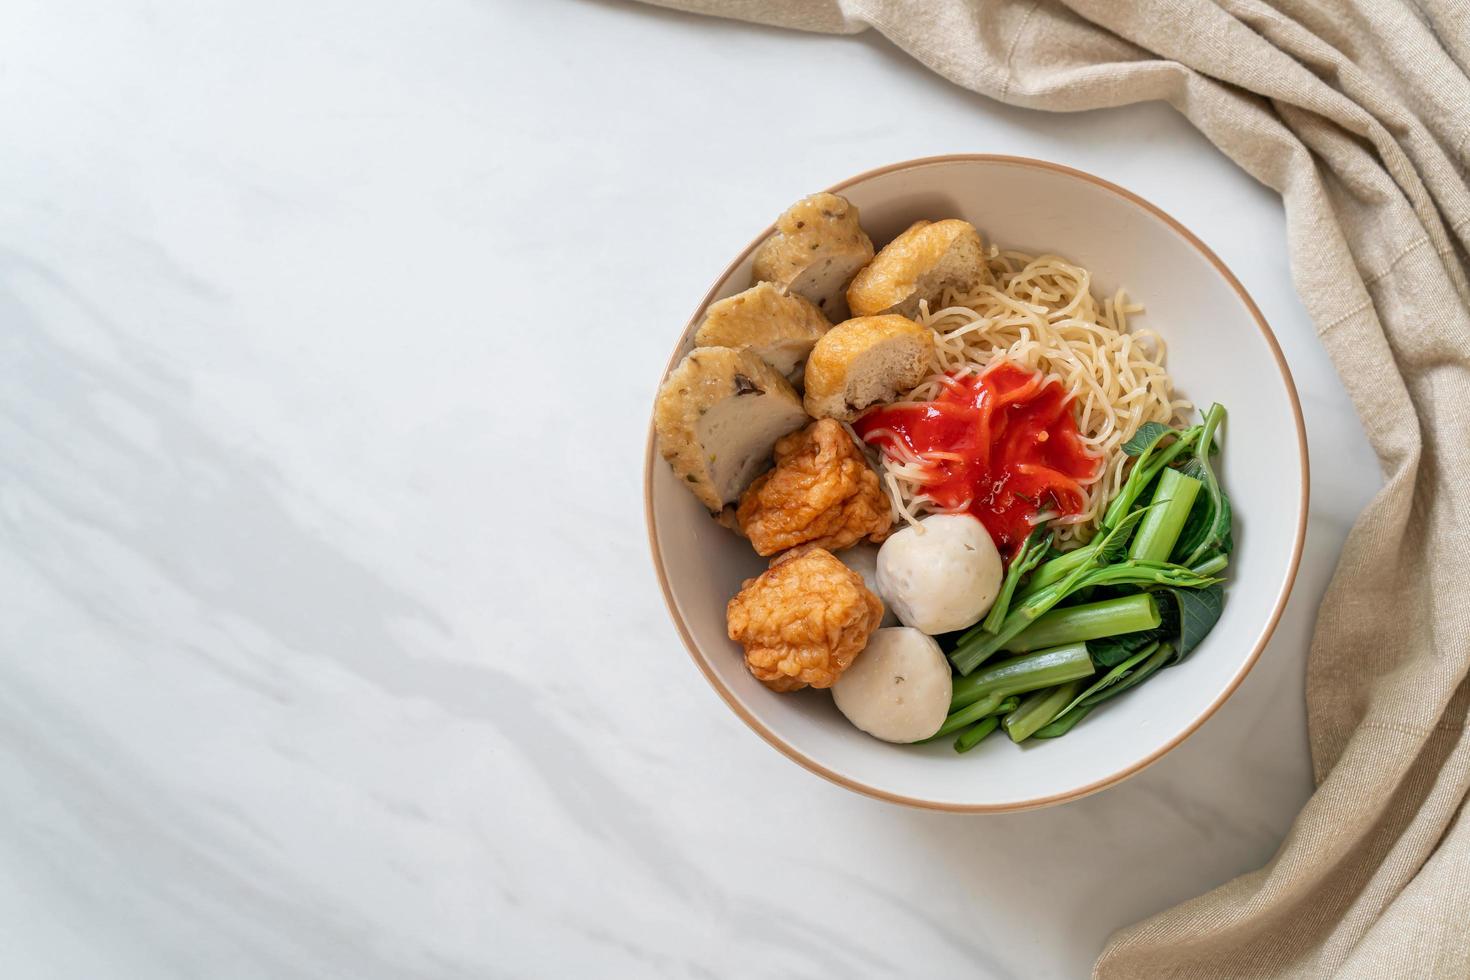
(1040, 312)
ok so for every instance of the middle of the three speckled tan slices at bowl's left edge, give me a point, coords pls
(777, 327)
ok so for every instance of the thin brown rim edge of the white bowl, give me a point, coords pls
(797, 756)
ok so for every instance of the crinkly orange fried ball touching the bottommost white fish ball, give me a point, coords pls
(803, 621)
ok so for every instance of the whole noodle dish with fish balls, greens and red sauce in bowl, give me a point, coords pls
(983, 503)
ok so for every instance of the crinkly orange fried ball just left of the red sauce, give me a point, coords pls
(821, 493)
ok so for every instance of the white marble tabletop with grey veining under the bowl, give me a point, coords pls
(330, 646)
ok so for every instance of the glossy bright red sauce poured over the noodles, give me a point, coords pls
(1002, 444)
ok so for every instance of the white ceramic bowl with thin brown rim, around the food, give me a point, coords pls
(1219, 350)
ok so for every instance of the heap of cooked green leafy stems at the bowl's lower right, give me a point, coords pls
(1158, 565)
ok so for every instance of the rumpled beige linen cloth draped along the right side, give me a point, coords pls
(1359, 114)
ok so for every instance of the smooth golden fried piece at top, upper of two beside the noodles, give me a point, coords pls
(924, 262)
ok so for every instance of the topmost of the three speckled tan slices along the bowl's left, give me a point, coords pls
(818, 249)
